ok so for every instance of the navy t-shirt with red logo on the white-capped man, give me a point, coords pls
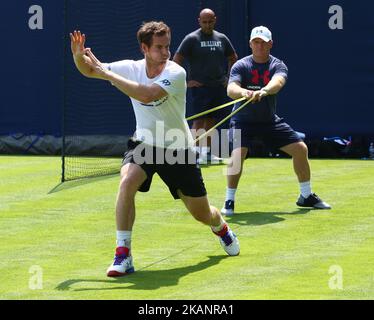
(254, 76)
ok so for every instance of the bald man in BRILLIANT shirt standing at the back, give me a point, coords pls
(210, 55)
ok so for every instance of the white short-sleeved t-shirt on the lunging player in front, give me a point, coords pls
(161, 123)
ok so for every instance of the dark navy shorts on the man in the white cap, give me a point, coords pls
(274, 135)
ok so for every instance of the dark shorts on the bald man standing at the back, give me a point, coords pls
(205, 98)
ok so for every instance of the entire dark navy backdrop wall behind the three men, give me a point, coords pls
(329, 91)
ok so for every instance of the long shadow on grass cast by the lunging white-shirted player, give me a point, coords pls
(144, 279)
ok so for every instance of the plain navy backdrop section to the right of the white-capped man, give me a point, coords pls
(330, 85)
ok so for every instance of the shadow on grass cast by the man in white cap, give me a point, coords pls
(257, 218)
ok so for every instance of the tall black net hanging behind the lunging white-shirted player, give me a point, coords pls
(97, 118)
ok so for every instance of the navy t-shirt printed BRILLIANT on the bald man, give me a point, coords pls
(206, 55)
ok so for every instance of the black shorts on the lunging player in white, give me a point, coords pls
(183, 175)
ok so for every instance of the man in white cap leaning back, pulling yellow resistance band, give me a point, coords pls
(261, 76)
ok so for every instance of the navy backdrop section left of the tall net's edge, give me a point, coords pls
(32, 67)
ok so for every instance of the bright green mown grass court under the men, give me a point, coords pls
(286, 252)
